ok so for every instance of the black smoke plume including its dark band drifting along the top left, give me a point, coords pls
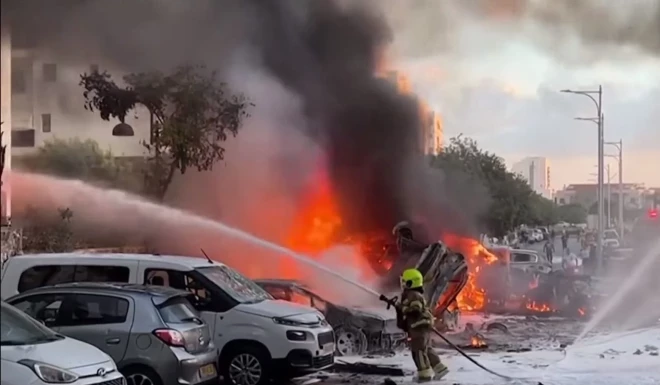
(324, 51)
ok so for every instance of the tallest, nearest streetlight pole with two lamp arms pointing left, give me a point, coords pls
(599, 120)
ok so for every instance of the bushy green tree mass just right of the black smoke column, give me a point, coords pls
(512, 200)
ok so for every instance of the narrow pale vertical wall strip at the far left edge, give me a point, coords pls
(5, 113)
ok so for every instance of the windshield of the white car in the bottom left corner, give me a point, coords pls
(16, 328)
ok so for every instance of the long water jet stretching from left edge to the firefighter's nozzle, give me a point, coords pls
(118, 211)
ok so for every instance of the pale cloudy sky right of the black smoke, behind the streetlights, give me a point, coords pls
(494, 69)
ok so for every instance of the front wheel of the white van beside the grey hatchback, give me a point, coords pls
(246, 365)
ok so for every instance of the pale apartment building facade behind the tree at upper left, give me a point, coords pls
(61, 100)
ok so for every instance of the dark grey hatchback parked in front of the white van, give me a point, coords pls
(153, 333)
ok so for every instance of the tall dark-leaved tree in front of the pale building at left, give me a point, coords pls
(192, 113)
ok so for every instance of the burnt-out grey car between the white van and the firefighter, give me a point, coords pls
(358, 330)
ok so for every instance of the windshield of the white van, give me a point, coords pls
(233, 283)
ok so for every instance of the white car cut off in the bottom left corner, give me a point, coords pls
(33, 354)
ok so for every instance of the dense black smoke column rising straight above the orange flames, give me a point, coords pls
(328, 54)
